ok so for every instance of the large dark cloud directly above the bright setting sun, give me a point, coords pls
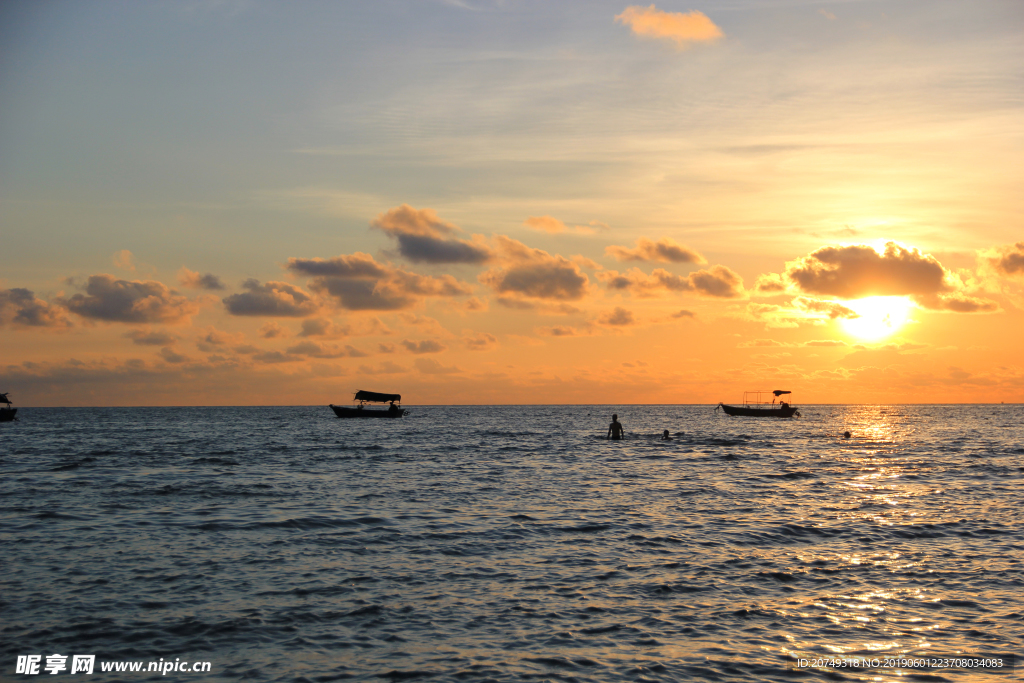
(857, 272)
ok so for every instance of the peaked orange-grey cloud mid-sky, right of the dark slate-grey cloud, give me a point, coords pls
(535, 274)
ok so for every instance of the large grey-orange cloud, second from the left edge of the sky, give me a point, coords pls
(113, 301)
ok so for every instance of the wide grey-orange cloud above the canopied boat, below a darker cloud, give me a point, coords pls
(357, 282)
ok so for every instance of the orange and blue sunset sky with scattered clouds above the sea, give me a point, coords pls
(240, 202)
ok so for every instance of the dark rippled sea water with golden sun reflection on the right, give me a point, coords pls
(513, 543)
